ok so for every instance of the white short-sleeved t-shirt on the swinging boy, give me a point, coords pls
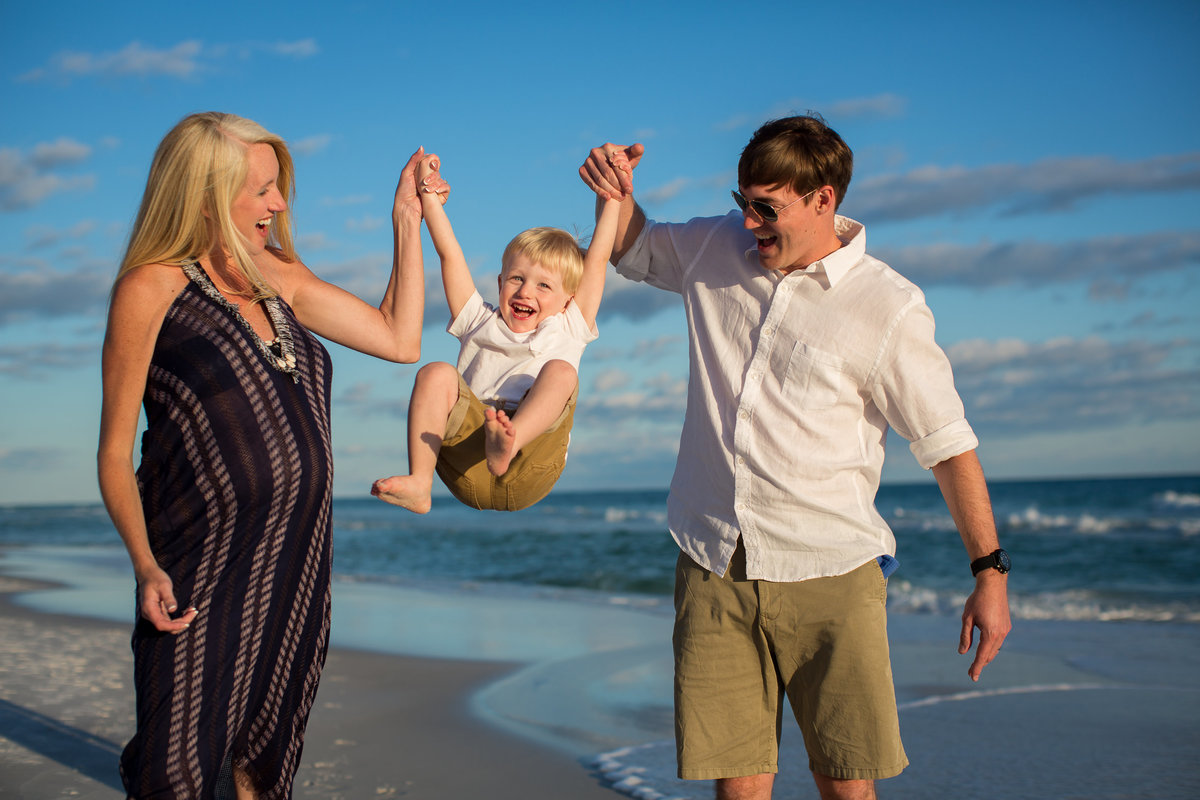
(500, 364)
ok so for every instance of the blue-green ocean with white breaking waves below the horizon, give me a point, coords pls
(1100, 550)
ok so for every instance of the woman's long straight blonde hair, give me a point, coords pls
(199, 170)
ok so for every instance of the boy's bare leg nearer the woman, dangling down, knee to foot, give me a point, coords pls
(435, 394)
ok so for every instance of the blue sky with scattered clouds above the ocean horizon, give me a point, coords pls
(1035, 167)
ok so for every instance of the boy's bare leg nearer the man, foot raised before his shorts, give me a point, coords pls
(505, 437)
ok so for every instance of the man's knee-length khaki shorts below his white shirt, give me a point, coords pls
(824, 642)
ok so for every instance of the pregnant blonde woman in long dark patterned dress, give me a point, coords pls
(227, 516)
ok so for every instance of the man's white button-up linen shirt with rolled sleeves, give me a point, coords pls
(794, 383)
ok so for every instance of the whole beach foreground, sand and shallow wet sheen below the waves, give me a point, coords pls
(573, 701)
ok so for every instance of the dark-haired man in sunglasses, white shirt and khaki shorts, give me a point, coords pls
(803, 352)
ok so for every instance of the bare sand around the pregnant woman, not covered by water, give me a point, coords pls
(383, 726)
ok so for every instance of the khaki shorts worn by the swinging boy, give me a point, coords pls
(463, 465)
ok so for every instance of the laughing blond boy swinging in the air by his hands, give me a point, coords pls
(496, 429)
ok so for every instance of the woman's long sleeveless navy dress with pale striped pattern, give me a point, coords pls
(236, 480)
